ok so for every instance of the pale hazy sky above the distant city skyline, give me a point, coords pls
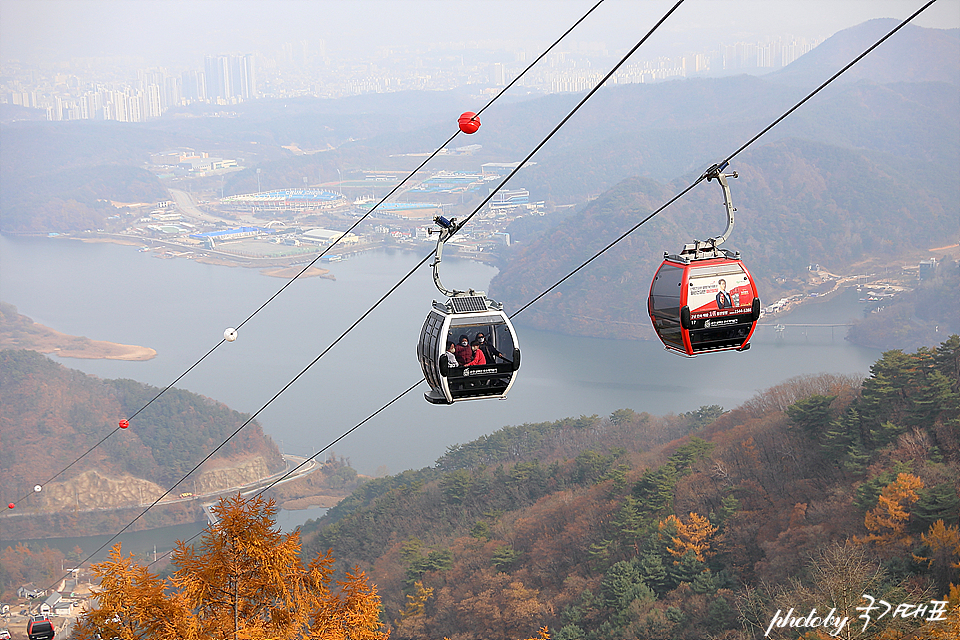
(170, 32)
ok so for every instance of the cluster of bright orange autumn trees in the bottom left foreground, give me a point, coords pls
(245, 580)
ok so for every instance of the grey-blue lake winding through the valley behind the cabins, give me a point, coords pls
(180, 308)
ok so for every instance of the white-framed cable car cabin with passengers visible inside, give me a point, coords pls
(467, 316)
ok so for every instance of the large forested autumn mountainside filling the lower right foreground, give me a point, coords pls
(811, 494)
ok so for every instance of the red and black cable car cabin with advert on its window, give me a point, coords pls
(704, 305)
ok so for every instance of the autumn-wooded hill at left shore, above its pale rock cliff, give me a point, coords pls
(50, 414)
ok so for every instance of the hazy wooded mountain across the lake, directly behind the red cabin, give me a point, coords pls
(798, 202)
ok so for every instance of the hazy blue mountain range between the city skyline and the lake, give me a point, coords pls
(864, 171)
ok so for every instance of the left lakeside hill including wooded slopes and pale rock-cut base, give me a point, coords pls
(50, 413)
